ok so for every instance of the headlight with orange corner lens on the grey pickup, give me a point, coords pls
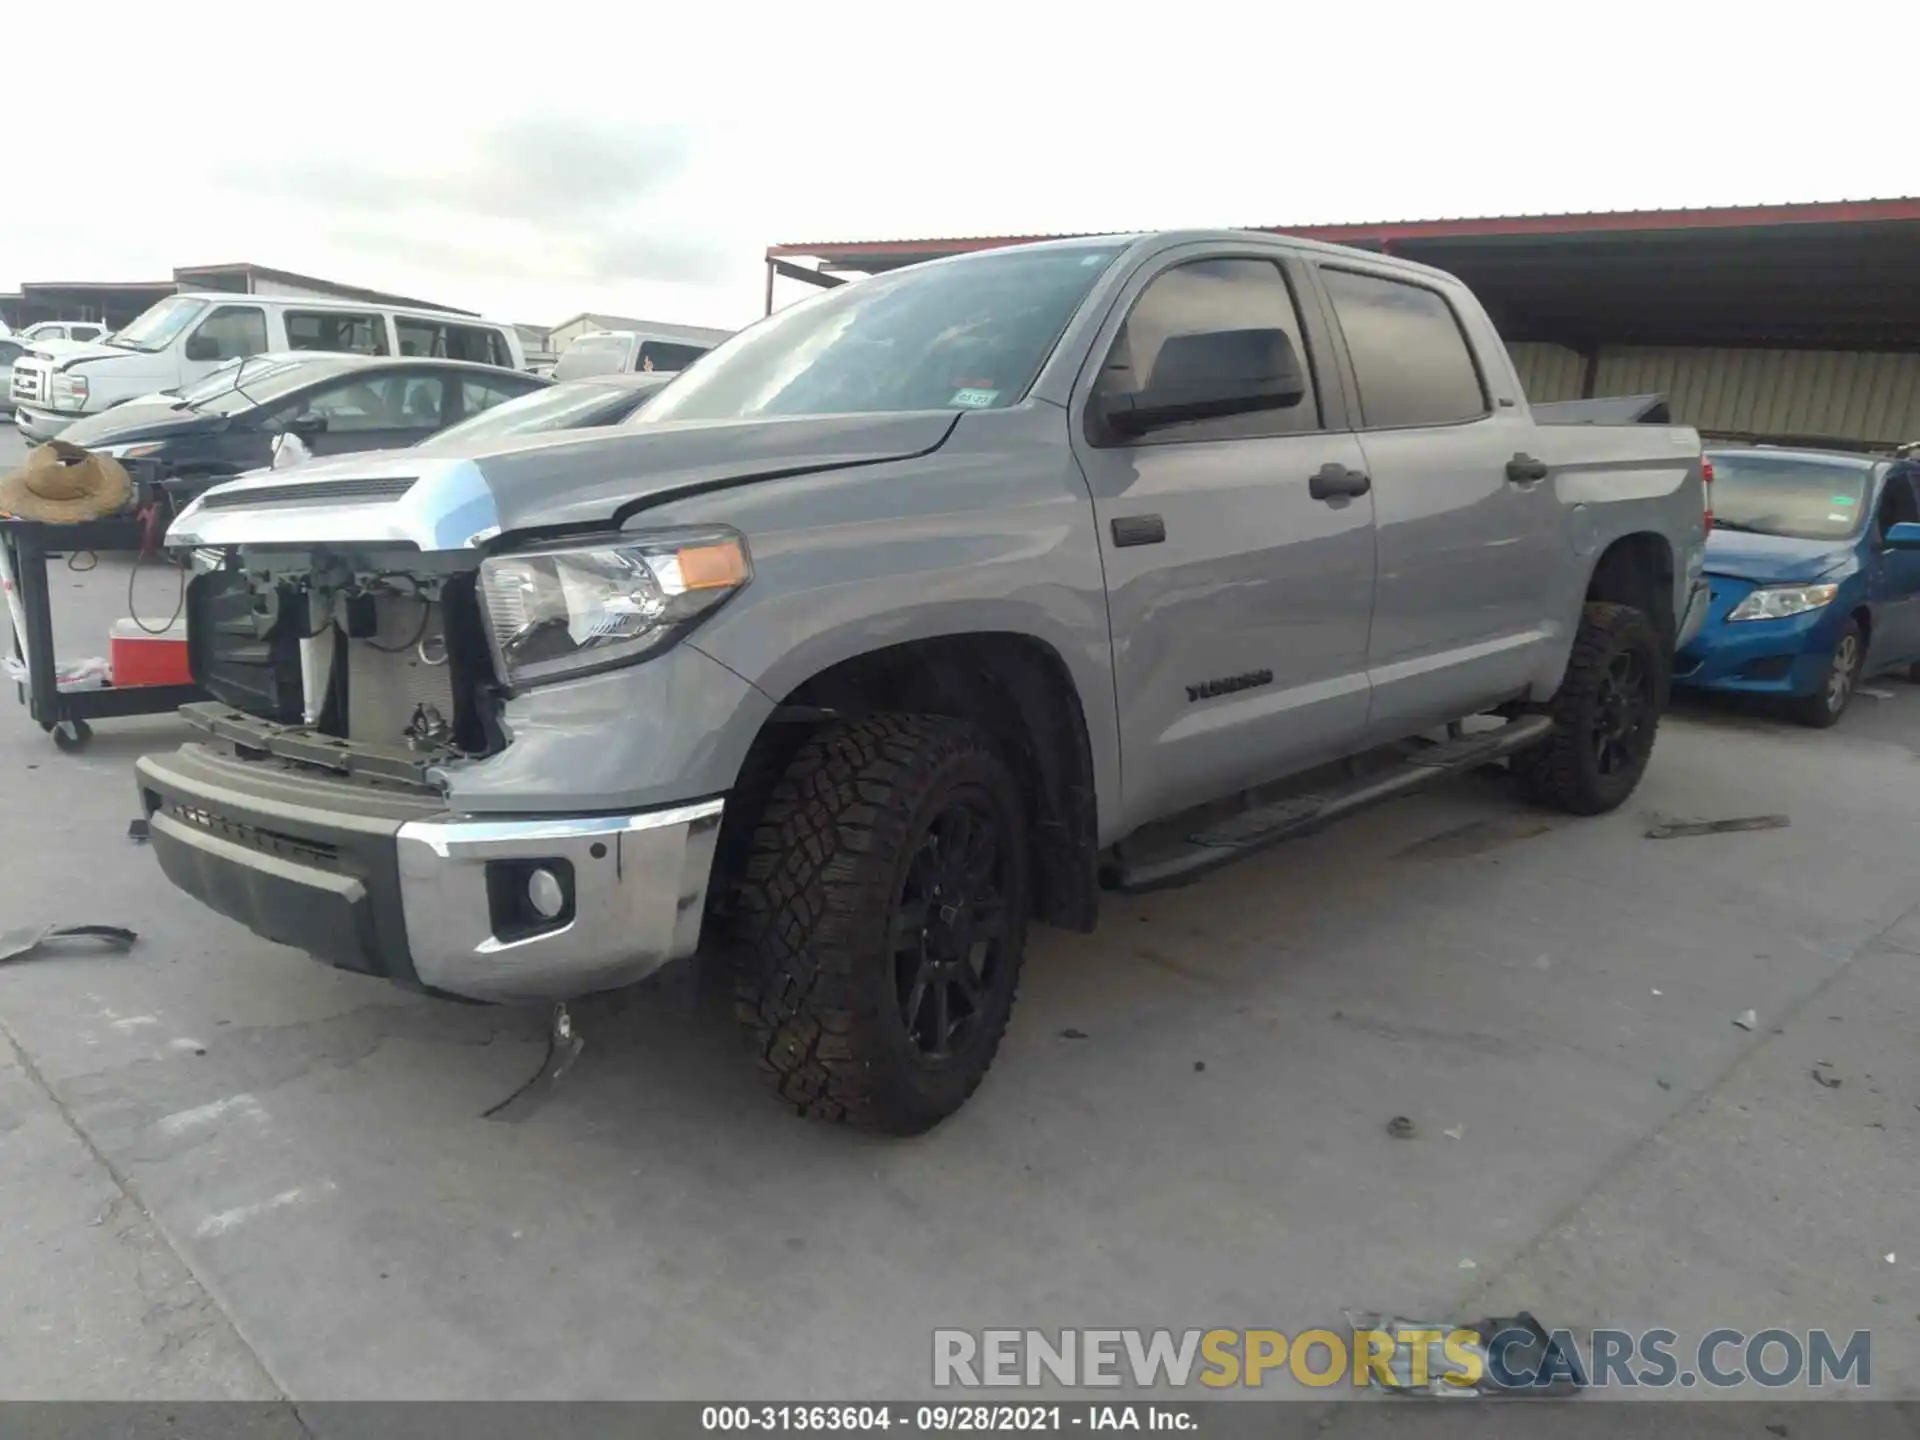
(575, 610)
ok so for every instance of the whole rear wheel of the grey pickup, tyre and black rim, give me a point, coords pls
(1606, 715)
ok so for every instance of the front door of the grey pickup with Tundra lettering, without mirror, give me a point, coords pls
(1239, 600)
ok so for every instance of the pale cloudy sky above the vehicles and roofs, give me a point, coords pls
(539, 160)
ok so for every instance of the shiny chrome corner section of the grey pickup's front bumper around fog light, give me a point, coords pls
(638, 896)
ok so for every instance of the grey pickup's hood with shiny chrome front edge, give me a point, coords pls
(452, 498)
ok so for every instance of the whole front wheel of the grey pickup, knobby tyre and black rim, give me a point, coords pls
(882, 923)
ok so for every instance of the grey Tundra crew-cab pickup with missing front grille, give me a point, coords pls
(917, 613)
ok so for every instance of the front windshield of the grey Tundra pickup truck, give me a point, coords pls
(957, 335)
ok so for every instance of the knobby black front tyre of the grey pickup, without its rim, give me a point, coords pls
(817, 911)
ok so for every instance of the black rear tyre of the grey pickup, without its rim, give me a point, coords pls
(1566, 769)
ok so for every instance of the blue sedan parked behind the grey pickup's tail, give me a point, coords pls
(1815, 575)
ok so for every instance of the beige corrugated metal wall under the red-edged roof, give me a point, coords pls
(1752, 393)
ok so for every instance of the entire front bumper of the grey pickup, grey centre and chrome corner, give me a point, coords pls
(393, 886)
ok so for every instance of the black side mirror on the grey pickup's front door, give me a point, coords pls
(1207, 375)
